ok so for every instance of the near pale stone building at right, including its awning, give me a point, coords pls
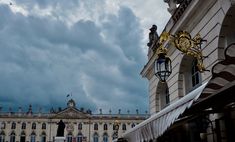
(192, 105)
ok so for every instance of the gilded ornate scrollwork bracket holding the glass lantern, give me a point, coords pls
(183, 42)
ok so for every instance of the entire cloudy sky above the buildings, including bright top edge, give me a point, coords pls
(92, 49)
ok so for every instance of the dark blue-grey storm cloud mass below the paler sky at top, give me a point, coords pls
(43, 59)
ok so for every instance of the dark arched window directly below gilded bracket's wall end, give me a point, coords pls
(195, 74)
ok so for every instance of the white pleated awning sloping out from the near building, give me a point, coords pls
(158, 123)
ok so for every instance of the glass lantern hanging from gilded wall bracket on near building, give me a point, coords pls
(182, 41)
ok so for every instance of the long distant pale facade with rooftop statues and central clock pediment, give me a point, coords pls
(80, 125)
